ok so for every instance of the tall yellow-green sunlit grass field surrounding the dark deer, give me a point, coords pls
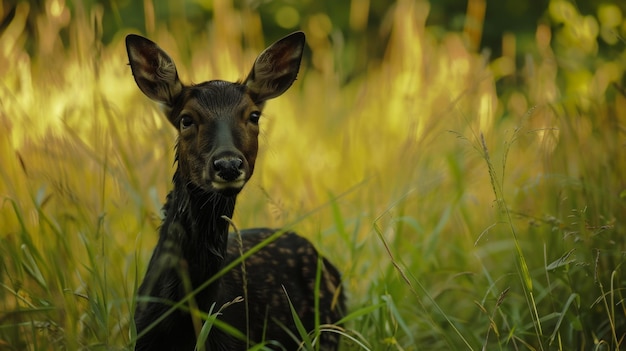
(470, 201)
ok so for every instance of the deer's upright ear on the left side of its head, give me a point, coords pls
(154, 71)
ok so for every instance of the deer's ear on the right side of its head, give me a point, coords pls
(276, 68)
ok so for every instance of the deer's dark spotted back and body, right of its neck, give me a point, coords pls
(281, 272)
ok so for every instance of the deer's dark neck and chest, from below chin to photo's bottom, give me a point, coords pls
(191, 248)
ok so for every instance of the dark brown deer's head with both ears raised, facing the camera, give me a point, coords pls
(217, 121)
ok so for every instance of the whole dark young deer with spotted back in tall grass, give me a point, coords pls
(218, 126)
